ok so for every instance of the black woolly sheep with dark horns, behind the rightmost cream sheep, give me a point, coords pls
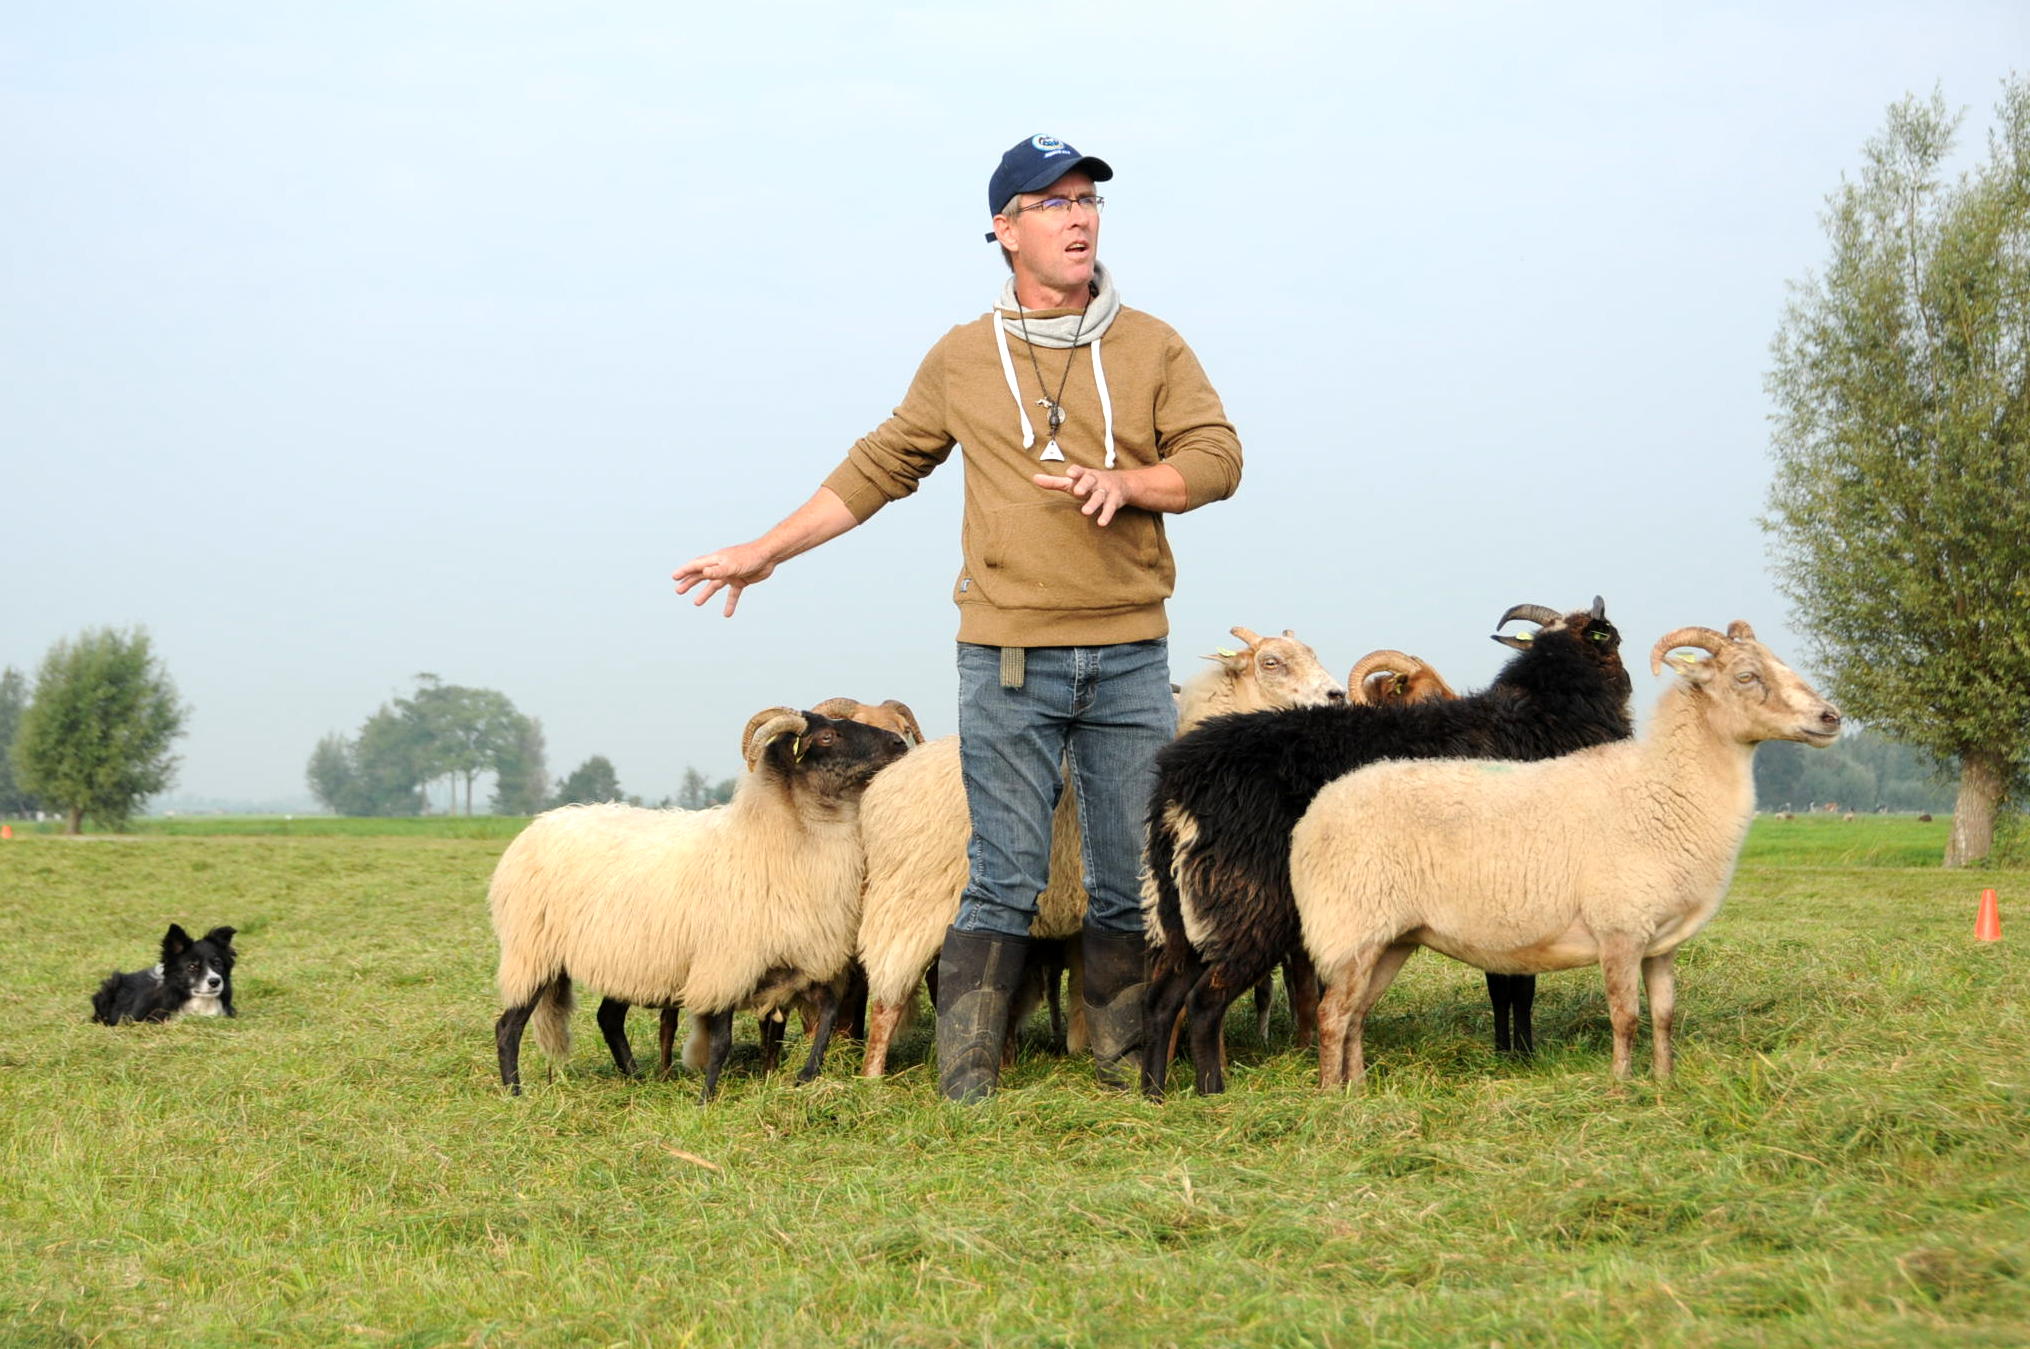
(1217, 892)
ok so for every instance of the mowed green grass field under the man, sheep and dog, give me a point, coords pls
(1844, 1157)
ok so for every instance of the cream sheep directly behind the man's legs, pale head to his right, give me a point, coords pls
(917, 829)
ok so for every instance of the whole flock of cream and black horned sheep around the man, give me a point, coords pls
(1298, 823)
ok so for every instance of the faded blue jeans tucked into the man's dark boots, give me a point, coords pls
(1099, 711)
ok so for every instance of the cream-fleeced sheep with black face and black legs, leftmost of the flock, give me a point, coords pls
(750, 904)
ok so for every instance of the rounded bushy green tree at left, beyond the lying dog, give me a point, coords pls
(94, 739)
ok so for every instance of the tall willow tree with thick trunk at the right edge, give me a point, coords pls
(1901, 504)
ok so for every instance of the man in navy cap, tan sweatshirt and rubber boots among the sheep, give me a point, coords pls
(1083, 423)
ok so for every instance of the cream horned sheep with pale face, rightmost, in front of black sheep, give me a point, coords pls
(1615, 855)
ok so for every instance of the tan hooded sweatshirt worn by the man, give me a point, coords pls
(1036, 571)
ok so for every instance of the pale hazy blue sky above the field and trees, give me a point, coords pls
(342, 344)
